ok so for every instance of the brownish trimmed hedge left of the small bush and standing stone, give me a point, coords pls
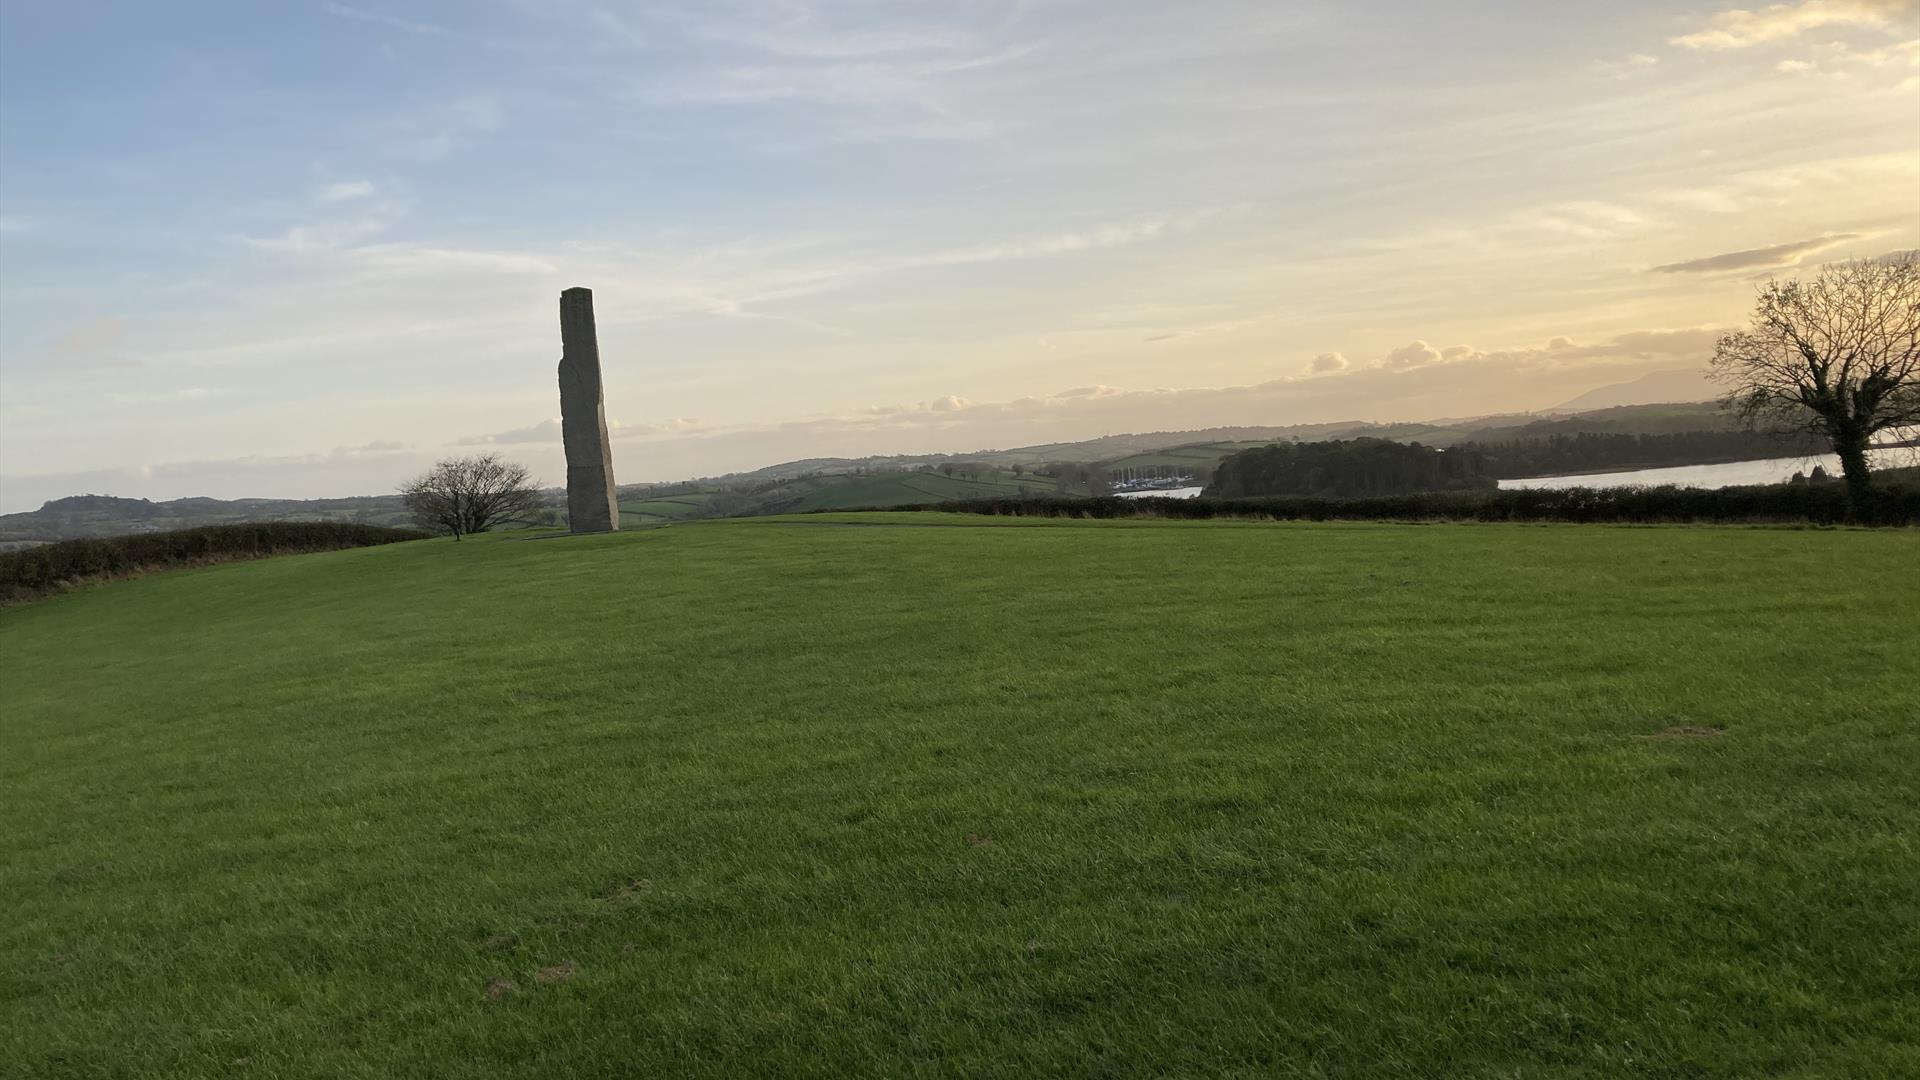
(37, 572)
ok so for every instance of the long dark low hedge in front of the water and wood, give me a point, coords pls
(1819, 504)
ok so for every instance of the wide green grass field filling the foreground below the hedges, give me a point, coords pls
(961, 797)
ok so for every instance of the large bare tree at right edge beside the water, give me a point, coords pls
(1838, 356)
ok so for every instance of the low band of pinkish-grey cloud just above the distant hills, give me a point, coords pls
(1429, 383)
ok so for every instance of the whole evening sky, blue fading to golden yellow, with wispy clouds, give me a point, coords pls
(304, 249)
